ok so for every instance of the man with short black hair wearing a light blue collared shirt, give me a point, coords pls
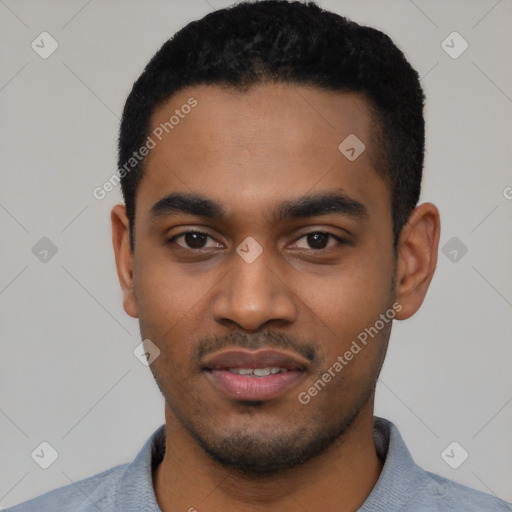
(271, 158)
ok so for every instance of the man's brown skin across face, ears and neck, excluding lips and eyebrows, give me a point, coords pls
(251, 151)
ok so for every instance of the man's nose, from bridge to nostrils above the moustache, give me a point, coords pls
(253, 295)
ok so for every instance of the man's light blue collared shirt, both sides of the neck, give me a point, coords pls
(402, 486)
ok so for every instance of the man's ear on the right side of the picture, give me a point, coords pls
(417, 258)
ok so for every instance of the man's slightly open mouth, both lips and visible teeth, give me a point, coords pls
(254, 375)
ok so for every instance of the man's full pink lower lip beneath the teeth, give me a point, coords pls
(254, 389)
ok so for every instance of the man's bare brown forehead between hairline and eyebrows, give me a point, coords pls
(268, 143)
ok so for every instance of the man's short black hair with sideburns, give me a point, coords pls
(288, 42)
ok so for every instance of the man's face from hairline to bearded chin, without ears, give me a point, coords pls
(261, 254)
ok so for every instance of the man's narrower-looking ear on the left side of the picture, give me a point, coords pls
(124, 257)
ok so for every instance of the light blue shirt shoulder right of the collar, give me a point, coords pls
(451, 496)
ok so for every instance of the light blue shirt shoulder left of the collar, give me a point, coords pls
(84, 496)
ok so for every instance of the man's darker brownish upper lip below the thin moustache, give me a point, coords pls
(263, 358)
